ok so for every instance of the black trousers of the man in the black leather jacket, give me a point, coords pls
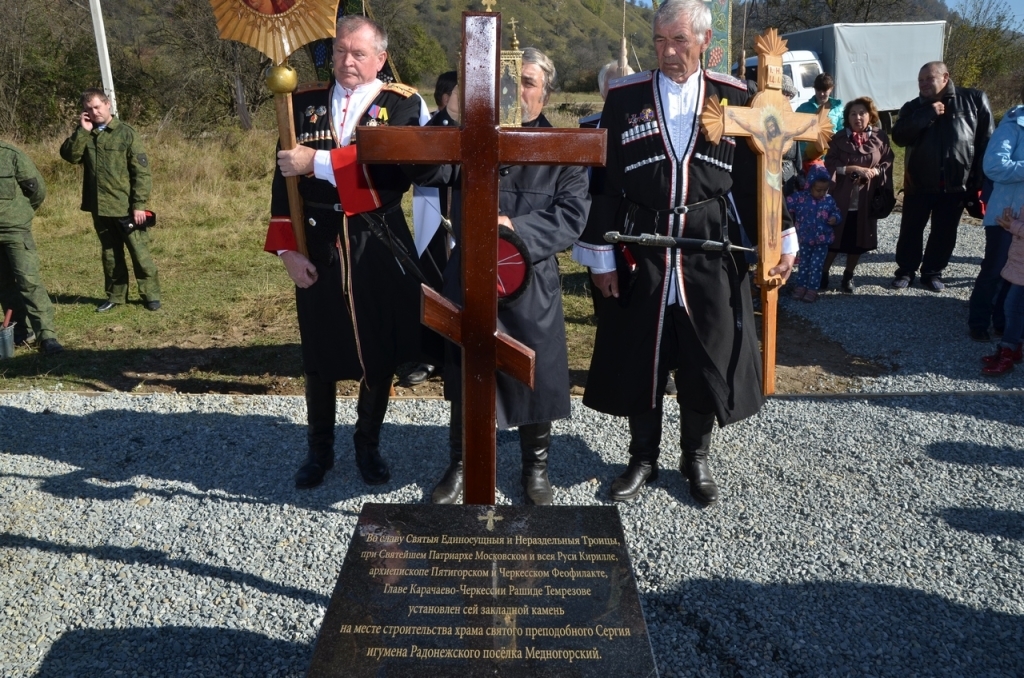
(945, 210)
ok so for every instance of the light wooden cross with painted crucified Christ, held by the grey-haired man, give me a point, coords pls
(771, 128)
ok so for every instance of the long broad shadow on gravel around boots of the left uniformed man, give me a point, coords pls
(246, 459)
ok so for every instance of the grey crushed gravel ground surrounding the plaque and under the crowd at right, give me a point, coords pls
(160, 535)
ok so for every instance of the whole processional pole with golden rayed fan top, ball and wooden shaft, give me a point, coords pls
(278, 28)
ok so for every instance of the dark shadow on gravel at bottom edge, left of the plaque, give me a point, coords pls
(173, 652)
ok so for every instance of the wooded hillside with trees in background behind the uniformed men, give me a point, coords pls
(170, 68)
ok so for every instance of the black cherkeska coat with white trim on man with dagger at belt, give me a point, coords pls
(642, 179)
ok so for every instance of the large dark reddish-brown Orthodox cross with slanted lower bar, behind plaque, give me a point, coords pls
(482, 148)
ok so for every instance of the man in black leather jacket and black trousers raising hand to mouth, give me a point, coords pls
(946, 132)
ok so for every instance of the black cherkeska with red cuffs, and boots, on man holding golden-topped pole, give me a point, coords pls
(362, 317)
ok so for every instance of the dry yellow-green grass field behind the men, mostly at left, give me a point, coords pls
(229, 320)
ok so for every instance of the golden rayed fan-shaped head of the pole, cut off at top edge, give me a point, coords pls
(276, 28)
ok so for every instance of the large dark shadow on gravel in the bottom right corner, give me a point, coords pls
(734, 628)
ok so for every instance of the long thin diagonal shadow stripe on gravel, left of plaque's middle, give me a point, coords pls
(141, 557)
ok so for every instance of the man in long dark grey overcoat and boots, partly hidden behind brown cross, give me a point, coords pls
(546, 207)
